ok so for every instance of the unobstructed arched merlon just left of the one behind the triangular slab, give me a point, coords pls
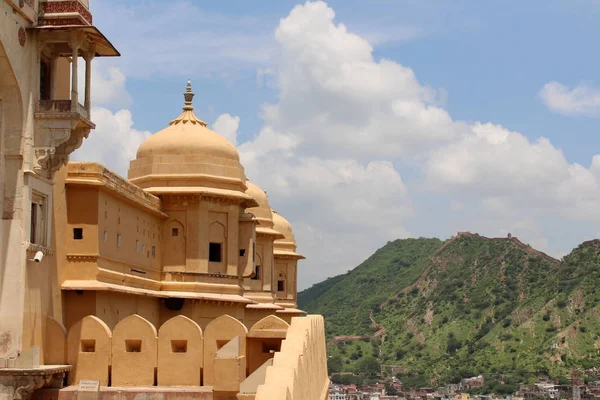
(180, 352)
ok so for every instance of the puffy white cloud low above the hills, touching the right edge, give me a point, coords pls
(506, 171)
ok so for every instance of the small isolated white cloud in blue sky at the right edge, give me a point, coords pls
(582, 99)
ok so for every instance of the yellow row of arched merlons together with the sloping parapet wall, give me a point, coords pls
(225, 356)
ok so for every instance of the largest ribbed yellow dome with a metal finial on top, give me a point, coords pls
(187, 157)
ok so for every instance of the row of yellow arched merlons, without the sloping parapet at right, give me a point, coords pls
(180, 353)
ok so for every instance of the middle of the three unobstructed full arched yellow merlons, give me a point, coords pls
(134, 352)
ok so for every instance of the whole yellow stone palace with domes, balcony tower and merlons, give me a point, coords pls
(179, 281)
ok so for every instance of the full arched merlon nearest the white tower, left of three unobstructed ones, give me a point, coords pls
(89, 350)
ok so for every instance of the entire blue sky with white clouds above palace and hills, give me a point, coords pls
(531, 68)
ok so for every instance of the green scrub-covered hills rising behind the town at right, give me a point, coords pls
(470, 306)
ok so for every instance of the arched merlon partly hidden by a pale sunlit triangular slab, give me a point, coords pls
(217, 334)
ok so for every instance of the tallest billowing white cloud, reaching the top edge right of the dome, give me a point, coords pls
(341, 101)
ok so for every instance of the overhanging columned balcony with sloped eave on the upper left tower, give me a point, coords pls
(61, 123)
